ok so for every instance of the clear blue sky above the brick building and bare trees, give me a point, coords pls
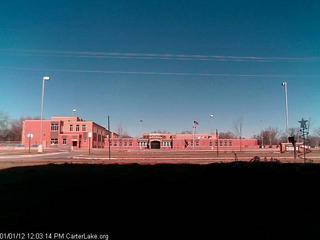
(35, 36)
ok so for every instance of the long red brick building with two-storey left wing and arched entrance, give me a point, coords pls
(73, 132)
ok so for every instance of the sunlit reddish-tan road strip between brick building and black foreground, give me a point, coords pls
(145, 157)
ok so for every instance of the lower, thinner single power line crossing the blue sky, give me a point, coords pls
(159, 73)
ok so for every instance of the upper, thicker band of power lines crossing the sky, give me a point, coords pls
(156, 56)
